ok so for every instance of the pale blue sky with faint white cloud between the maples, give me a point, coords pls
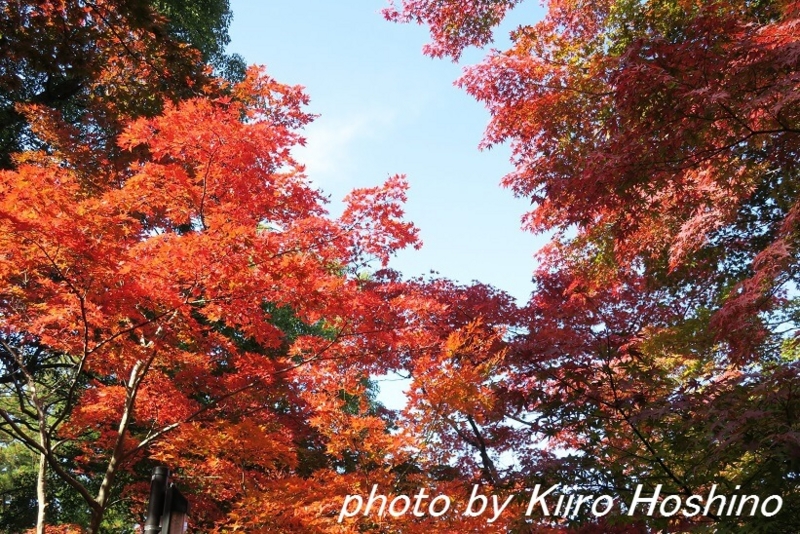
(386, 109)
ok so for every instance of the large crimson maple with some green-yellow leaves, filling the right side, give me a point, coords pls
(659, 141)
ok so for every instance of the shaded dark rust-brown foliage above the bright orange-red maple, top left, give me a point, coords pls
(97, 64)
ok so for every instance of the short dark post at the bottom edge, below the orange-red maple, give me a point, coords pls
(167, 508)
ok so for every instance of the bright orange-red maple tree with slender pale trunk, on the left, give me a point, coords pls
(185, 299)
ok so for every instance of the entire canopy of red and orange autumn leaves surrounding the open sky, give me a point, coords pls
(174, 292)
